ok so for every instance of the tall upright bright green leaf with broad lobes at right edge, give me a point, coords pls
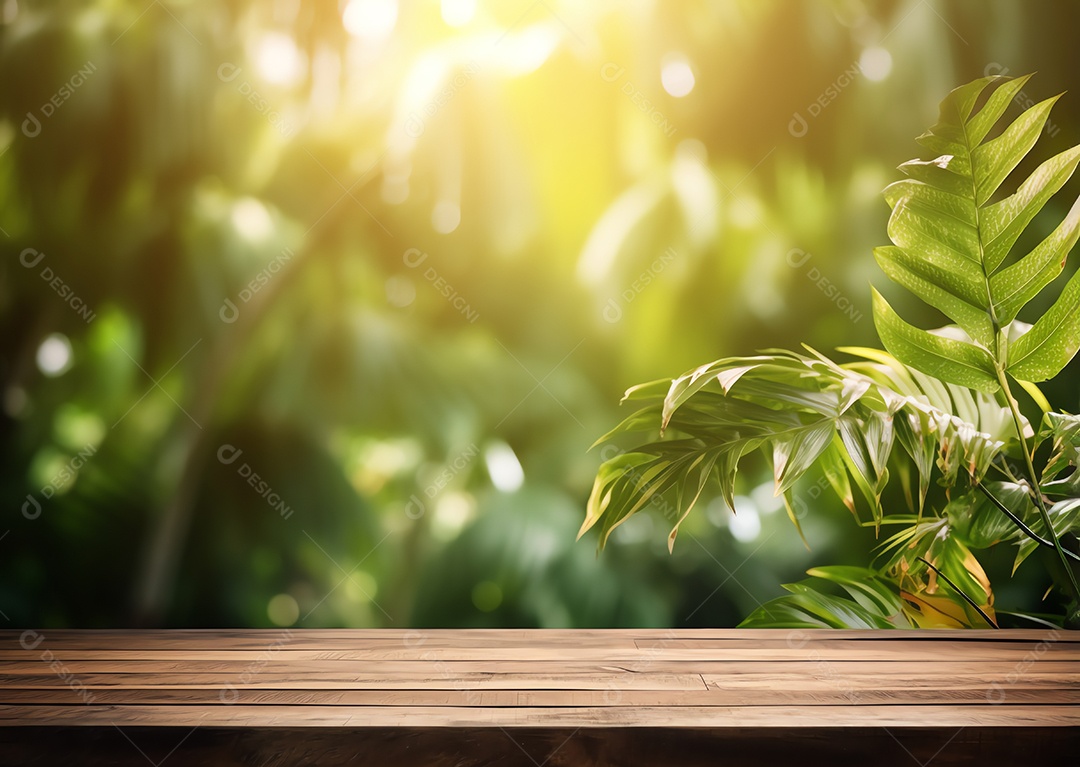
(951, 243)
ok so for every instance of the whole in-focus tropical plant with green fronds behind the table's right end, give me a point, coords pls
(946, 396)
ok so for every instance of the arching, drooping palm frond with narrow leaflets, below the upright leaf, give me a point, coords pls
(800, 411)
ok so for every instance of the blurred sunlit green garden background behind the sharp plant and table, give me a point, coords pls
(312, 311)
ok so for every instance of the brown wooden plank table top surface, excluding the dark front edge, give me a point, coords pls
(546, 679)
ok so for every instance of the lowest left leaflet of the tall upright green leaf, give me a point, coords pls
(949, 360)
